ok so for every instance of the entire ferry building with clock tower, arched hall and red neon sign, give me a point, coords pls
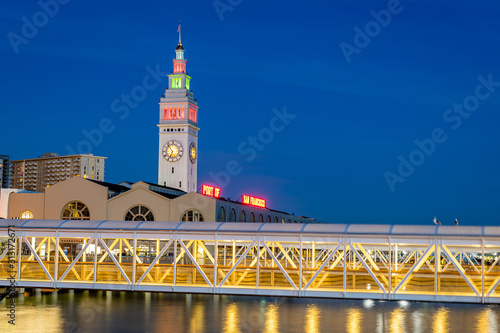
(177, 196)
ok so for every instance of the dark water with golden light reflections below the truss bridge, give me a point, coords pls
(101, 311)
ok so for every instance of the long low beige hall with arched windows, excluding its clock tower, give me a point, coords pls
(83, 199)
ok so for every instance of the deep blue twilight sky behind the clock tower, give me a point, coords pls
(361, 92)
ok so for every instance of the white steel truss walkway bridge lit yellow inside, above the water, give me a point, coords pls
(450, 264)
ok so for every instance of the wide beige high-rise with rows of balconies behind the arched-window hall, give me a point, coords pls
(38, 173)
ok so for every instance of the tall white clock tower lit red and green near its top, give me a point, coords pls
(178, 149)
